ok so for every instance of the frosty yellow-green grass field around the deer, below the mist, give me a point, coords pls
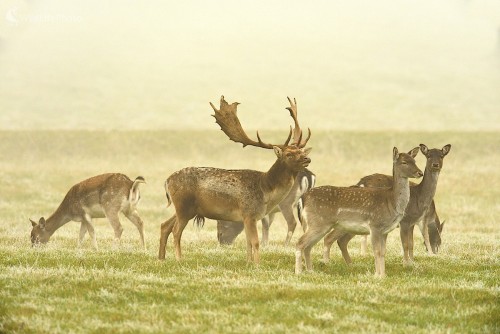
(61, 289)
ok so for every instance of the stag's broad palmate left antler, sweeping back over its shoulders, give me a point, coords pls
(228, 120)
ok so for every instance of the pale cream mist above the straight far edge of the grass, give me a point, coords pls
(352, 65)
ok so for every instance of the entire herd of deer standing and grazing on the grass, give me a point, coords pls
(237, 199)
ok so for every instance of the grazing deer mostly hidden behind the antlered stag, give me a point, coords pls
(227, 231)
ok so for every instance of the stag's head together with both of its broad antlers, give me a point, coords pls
(294, 154)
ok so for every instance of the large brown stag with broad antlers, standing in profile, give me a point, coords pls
(234, 195)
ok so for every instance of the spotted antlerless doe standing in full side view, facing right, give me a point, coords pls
(375, 211)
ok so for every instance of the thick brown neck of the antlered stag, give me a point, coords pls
(278, 180)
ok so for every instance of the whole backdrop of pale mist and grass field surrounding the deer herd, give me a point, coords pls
(93, 87)
